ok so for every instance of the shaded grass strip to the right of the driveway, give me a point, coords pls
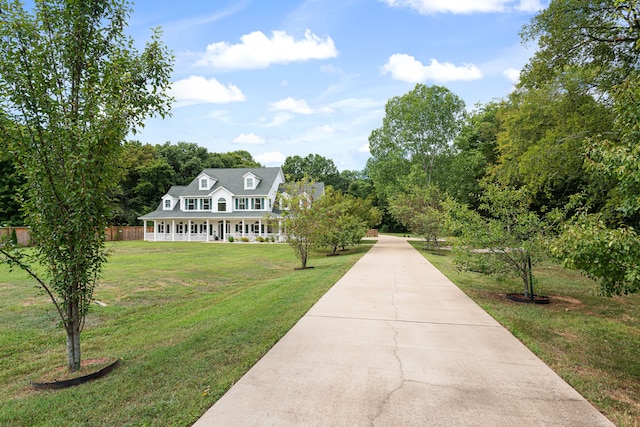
(592, 342)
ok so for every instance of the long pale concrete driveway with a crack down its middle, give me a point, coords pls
(395, 343)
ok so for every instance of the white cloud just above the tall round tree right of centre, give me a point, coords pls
(407, 68)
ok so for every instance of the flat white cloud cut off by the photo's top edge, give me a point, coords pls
(429, 7)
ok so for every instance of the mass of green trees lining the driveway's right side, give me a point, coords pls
(551, 170)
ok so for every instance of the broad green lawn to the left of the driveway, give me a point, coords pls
(186, 319)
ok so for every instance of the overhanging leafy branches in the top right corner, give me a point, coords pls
(597, 38)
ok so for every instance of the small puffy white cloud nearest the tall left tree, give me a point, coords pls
(199, 90)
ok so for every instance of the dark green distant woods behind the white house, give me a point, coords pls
(148, 171)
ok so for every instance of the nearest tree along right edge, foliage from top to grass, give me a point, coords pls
(600, 42)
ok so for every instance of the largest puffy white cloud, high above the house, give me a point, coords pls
(256, 50)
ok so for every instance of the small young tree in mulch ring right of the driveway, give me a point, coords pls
(508, 239)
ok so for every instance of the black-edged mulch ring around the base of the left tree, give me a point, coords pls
(60, 377)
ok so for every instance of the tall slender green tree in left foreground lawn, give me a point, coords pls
(72, 86)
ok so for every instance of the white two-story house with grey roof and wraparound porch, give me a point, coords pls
(216, 205)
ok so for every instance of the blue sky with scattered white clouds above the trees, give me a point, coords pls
(283, 78)
